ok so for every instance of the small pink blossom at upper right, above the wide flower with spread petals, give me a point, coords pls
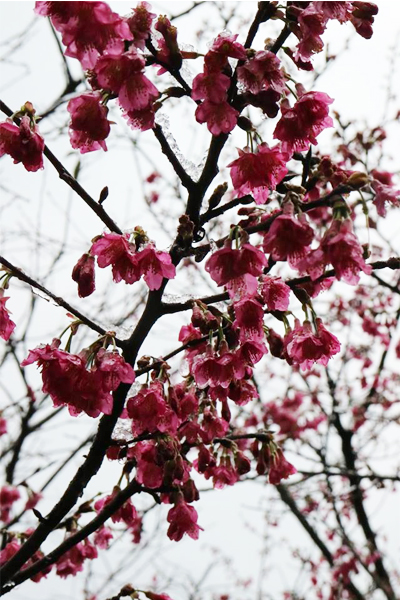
(262, 72)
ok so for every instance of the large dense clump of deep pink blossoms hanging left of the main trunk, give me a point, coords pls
(67, 380)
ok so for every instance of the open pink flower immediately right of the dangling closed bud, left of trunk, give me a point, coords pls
(116, 250)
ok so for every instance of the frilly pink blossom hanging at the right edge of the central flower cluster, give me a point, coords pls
(306, 347)
